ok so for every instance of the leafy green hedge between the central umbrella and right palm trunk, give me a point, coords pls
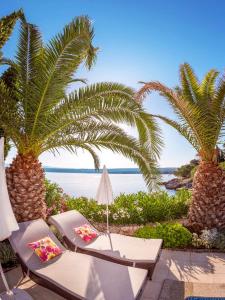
(143, 208)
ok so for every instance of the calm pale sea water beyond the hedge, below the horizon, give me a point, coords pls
(86, 185)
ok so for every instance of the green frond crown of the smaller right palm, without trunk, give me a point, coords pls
(199, 107)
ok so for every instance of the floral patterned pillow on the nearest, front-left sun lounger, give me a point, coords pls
(45, 249)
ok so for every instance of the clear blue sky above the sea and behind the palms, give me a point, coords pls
(139, 41)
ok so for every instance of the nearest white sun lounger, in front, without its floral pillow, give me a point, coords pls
(75, 275)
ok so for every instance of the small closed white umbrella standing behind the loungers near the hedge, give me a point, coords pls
(104, 193)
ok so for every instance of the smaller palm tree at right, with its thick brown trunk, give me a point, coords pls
(200, 110)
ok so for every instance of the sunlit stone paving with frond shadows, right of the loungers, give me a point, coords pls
(186, 266)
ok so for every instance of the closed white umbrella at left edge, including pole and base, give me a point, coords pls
(8, 224)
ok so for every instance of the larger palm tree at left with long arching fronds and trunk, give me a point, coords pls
(38, 115)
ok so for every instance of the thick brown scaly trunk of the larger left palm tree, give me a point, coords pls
(25, 180)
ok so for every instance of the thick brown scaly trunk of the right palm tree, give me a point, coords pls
(207, 208)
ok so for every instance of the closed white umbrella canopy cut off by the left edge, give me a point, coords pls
(7, 219)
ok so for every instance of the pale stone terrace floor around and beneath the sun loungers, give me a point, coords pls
(176, 265)
